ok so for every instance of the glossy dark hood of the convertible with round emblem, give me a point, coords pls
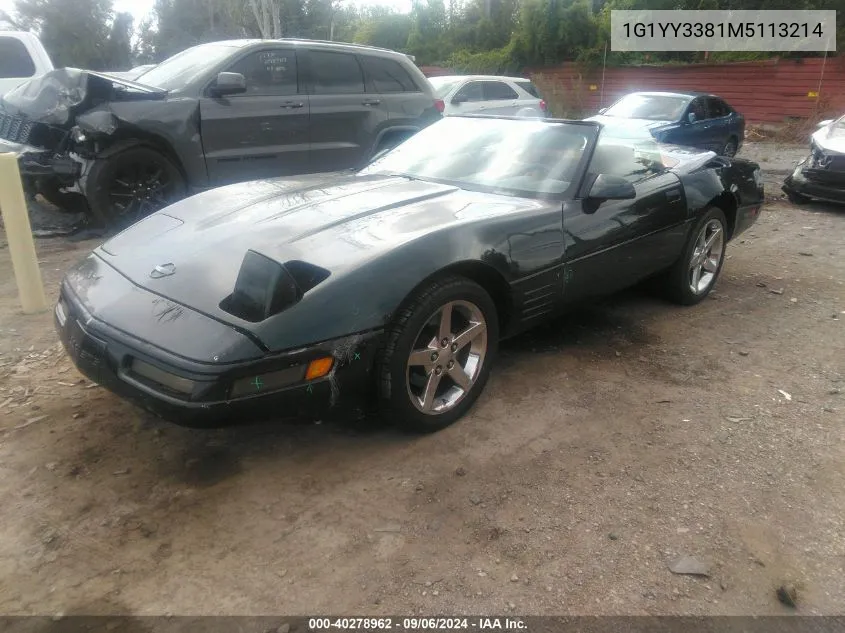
(201, 241)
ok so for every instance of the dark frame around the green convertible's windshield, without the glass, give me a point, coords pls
(570, 193)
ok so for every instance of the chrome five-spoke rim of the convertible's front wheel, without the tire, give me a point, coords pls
(447, 357)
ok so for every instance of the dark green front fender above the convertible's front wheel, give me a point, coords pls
(366, 295)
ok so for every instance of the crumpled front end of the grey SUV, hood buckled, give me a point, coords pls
(48, 124)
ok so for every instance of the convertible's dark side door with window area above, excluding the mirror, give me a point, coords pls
(612, 244)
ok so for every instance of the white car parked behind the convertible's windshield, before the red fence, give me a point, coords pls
(488, 94)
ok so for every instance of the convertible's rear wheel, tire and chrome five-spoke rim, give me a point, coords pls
(695, 273)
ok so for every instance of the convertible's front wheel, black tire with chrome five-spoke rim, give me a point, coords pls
(438, 355)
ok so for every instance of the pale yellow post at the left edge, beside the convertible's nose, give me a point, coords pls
(19, 236)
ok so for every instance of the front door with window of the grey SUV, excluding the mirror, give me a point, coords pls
(262, 132)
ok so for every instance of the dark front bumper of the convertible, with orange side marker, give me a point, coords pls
(109, 356)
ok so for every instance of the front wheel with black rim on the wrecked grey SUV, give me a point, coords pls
(132, 184)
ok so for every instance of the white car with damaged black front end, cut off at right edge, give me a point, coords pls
(822, 174)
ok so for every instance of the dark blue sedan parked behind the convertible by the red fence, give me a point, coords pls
(694, 119)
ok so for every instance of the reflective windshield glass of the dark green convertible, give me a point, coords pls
(519, 156)
